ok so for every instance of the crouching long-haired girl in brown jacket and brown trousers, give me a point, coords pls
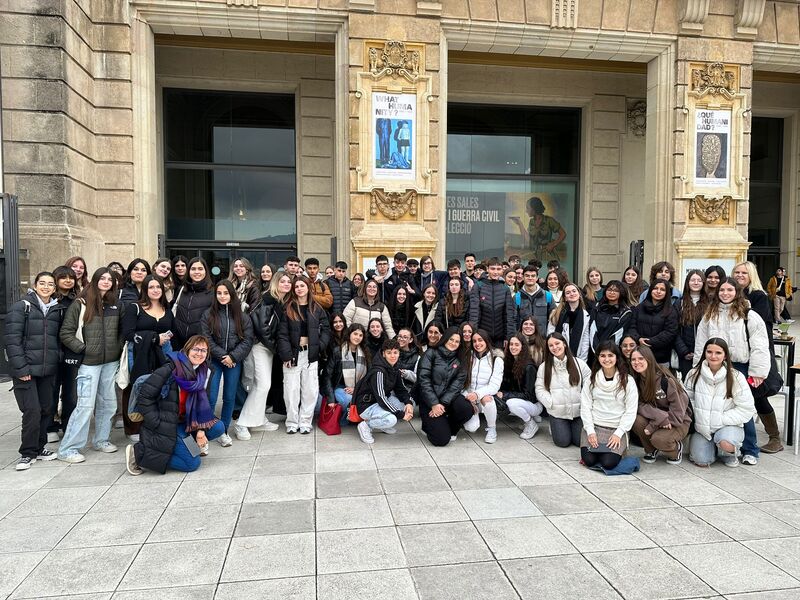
(664, 414)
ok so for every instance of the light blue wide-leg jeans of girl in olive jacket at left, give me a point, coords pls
(95, 393)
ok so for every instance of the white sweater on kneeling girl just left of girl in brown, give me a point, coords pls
(605, 405)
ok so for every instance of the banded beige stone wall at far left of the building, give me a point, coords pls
(67, 127)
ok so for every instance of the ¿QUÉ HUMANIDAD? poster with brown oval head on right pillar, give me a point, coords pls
(712, 151)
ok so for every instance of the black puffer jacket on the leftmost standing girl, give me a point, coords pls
(31, 338)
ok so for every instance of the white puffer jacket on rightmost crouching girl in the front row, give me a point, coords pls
(712, 409)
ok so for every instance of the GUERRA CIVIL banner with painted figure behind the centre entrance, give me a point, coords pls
(537, 224)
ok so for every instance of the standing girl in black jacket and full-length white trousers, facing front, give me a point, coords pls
(303, 332)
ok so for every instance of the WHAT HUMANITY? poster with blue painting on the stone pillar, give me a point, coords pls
(394, 120)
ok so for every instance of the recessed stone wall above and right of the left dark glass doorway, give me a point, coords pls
(312, 77)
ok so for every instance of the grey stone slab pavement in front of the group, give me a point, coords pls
(328, 517)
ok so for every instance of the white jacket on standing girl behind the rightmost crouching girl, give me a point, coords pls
(732, 330)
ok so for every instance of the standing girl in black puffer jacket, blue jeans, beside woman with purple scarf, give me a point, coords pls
(230, 335)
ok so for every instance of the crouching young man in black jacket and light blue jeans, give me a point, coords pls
(380, 396)
